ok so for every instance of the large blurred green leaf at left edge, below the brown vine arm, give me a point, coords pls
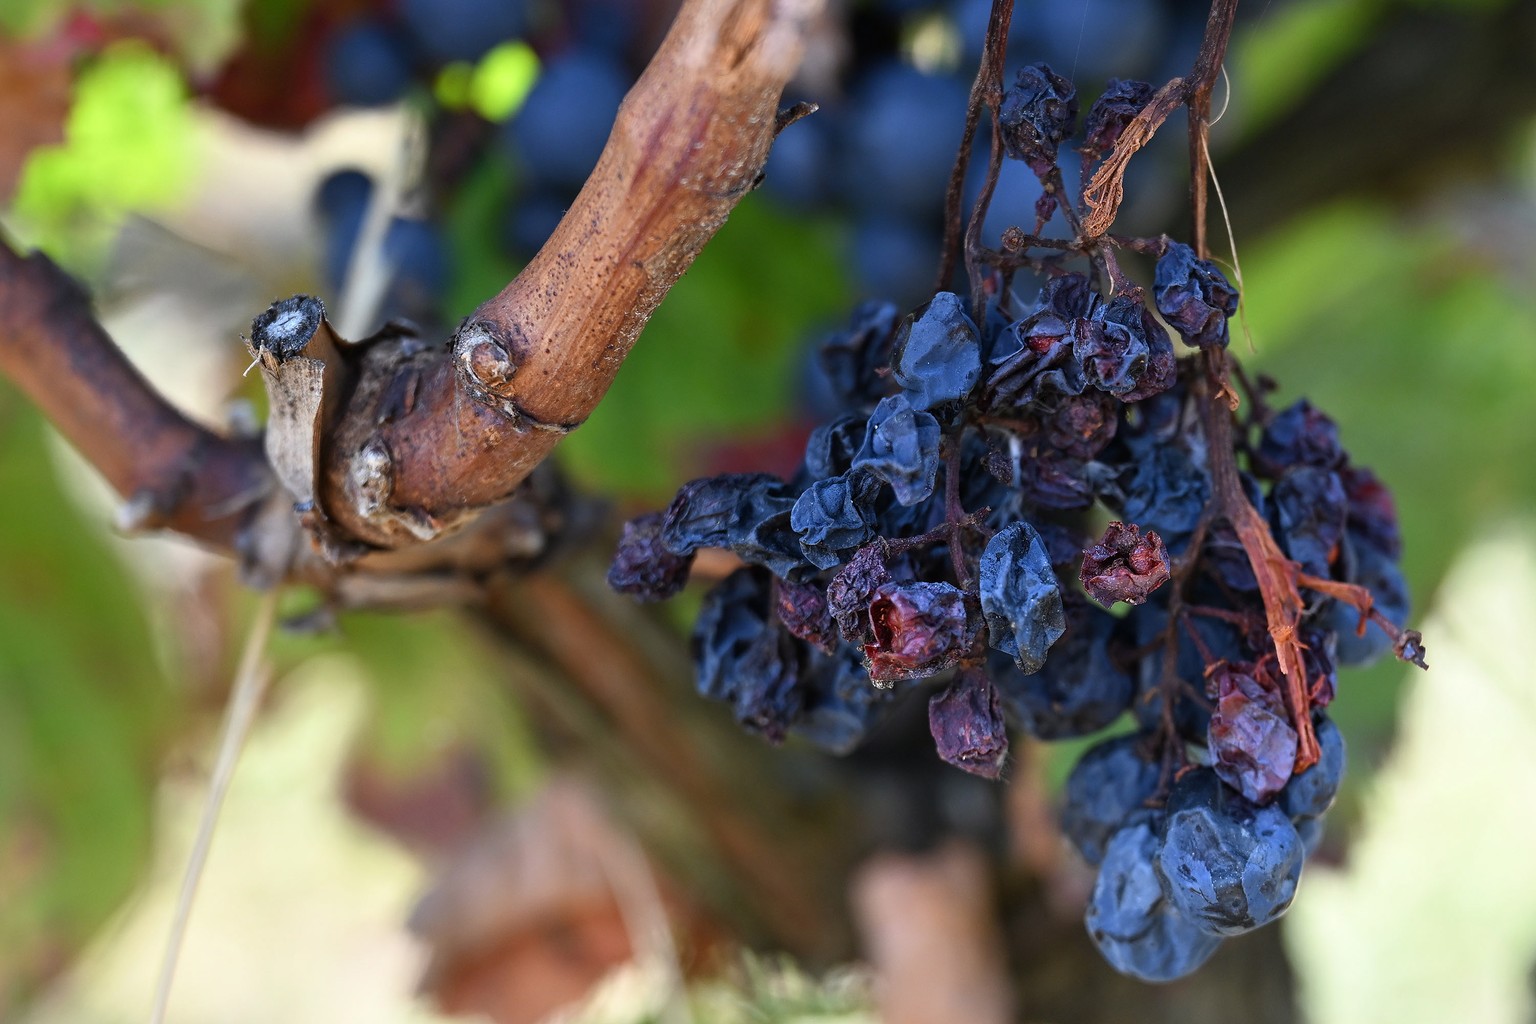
(85, 713)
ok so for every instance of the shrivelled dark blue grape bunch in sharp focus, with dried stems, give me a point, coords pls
(1024, 510)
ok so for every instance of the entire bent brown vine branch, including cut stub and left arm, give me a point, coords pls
(408, 441)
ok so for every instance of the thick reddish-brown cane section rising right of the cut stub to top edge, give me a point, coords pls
(531, 365)
